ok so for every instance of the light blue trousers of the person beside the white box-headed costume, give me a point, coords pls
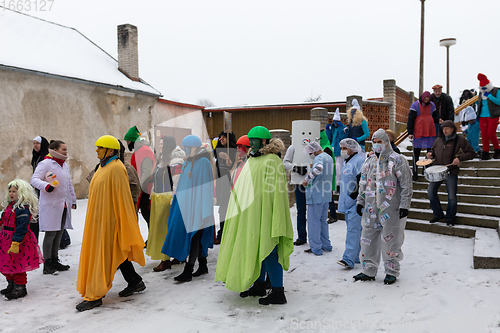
(319, 238)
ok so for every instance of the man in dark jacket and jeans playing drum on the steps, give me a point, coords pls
(449, 148)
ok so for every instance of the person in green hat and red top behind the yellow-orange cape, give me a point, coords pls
(143, 160)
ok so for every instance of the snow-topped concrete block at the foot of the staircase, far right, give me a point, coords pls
(486, 249)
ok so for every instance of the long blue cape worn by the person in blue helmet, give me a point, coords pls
(192, 209)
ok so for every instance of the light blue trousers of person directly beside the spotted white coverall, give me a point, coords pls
(353, 237)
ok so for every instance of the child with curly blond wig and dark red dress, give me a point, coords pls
(19, 251)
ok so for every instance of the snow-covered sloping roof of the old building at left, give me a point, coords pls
(33, 44)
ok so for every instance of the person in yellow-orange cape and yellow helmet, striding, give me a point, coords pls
(111, 238)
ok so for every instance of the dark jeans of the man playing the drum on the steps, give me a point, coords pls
(451, 188)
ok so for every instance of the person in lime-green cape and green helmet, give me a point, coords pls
(258, 235)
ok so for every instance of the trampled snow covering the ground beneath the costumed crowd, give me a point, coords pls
(438, 291)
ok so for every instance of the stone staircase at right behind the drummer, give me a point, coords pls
(478, 211)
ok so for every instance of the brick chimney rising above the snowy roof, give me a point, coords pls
(128, 53)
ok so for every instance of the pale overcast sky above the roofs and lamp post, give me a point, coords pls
(276, 51)
